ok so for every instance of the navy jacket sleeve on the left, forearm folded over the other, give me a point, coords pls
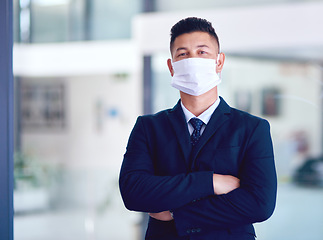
(144, 192)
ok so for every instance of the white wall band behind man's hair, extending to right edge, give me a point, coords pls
(278, 30)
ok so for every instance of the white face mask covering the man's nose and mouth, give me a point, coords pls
(195, 76)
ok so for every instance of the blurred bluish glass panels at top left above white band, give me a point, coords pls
(40, 21)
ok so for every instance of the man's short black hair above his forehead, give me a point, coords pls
(192, 24)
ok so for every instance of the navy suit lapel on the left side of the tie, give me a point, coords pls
(178, 122)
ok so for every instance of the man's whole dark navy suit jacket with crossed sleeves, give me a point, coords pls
(161, 171)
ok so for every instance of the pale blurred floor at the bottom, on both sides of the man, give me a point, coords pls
(298, 216)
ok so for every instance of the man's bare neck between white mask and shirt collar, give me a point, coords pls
(198, 104)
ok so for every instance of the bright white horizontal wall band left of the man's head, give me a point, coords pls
(75, 58)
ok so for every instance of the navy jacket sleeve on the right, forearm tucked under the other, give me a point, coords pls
(254, 201)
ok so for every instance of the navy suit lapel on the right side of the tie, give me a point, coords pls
(218, 118)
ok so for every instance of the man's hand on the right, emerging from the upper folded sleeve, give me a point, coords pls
(224, 184)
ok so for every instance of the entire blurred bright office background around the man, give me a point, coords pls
(85, 69)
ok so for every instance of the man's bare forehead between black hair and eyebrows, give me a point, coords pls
(193, 40)
